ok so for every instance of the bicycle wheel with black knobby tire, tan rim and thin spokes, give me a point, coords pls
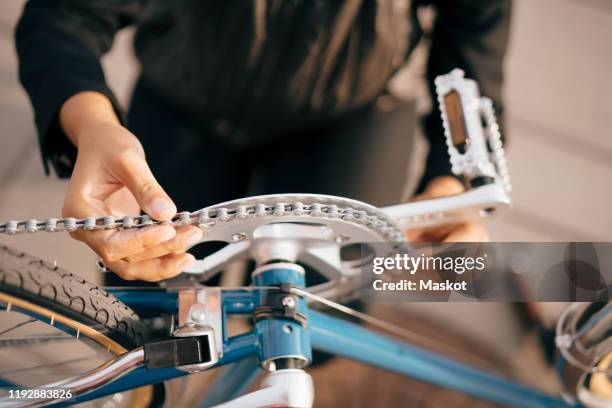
(54, 325)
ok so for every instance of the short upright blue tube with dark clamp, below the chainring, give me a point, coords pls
(281, 317)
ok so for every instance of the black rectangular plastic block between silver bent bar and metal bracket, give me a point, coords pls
(177, 352)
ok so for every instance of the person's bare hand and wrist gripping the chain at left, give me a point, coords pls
(111, 177)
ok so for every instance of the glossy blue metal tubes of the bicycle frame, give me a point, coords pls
(270, 338)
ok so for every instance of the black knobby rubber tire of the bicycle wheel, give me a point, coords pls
(53, 288)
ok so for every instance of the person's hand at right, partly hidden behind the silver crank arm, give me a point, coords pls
(463, 232)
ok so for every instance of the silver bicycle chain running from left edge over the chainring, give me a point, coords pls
(209, 218)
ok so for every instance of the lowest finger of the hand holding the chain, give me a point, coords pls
(152, 270)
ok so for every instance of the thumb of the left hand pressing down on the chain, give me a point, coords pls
(135, 174)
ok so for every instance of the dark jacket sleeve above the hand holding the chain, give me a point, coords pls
(59, 44)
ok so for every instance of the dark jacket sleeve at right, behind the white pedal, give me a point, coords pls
(471, 35)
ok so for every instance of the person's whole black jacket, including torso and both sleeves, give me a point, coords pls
(267, 65)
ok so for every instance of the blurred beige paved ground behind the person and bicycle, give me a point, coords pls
(558, 88)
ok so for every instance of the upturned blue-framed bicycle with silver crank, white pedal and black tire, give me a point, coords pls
(279, 232)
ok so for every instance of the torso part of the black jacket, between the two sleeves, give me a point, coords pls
(282, 60)
